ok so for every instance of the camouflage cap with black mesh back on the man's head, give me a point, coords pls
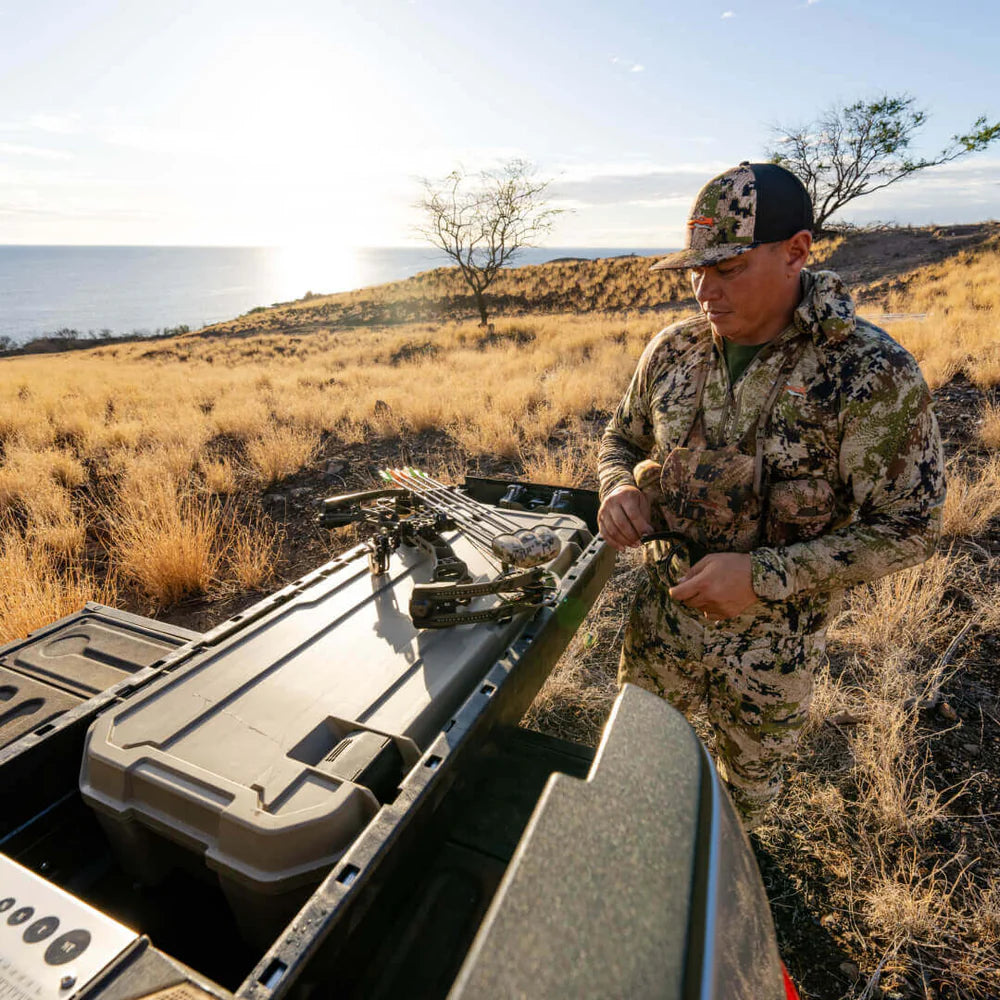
(746, 206)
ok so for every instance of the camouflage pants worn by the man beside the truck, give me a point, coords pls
(755, 690)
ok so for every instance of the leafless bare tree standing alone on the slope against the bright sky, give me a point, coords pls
(482, 220)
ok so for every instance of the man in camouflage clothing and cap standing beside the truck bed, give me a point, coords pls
(776, 449)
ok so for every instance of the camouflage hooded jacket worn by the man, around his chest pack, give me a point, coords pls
(855, 412)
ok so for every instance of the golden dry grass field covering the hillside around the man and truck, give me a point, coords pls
(132, 474)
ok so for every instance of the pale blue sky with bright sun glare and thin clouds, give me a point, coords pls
(299, 123)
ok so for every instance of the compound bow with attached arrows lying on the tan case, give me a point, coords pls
(414, 510)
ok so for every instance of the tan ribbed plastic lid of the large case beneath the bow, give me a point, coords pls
(233, 752)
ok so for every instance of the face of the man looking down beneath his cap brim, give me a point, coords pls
(746, 298)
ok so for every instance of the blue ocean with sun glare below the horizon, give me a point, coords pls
(45, 289)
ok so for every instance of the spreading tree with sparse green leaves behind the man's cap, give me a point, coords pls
(864, 147)
